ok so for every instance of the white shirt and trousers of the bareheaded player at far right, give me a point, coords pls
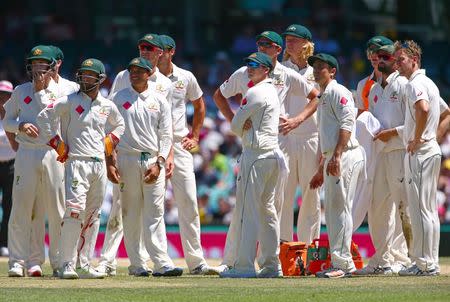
(422, 172)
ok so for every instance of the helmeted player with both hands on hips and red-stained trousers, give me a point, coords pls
(85, 172)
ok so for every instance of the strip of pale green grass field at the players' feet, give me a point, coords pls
(202, 288)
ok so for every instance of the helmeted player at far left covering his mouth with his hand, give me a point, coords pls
(38, 178)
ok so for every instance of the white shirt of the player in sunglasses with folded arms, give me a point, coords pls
(260, 104)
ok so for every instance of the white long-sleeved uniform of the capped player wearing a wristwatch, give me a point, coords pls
(148, 134)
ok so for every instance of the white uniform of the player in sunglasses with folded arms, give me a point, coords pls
(258, 175)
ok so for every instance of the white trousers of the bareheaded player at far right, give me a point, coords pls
(422, 172)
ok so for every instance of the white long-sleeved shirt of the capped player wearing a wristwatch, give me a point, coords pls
(148, 124)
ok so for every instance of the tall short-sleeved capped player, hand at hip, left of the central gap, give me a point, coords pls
(185, 89)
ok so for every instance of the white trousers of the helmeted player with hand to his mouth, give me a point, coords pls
(38, 189)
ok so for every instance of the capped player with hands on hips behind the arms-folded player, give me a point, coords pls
(289, 85)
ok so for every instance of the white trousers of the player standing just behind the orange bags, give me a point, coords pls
(339, 194)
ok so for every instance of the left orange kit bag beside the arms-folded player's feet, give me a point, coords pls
(293, 258)
